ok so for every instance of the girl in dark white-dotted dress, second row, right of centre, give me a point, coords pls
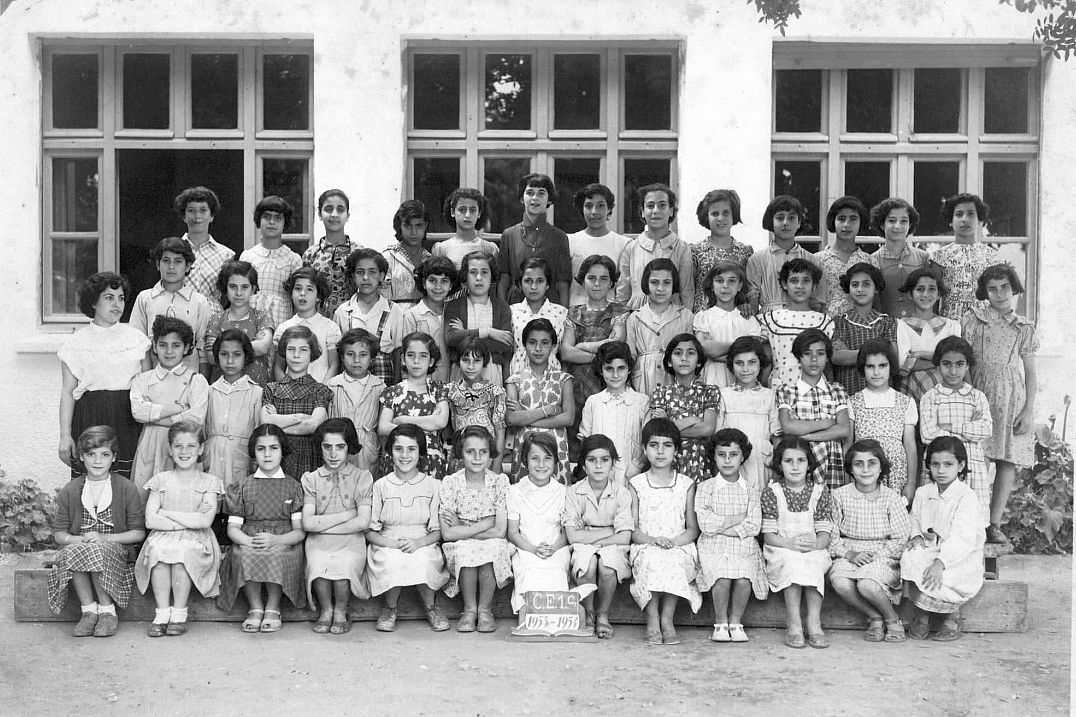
(691, 404)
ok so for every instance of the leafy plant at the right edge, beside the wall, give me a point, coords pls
(1040, 513)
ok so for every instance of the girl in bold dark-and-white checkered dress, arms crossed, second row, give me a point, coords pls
(815, 410)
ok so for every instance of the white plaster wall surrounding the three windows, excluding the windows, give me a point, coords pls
(359, 121)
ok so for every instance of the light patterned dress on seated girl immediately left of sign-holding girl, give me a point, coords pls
(470, 507)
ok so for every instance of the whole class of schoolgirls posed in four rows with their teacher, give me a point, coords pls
(463, 526)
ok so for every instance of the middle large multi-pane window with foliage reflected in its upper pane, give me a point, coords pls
(485, 116)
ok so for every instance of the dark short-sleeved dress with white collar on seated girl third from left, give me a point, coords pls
(263, 504)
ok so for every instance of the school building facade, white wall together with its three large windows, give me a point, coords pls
(109, 109)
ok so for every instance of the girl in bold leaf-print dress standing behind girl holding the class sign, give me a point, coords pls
(541, 399)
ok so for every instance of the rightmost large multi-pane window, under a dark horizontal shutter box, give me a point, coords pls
(918, 122)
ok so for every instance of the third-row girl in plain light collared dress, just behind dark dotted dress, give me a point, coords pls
(652, 327)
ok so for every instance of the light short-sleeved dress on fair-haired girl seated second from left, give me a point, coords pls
(197, 550)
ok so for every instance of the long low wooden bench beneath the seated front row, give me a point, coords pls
(1001, 607)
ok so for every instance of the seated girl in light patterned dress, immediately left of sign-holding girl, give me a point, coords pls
(474, 518)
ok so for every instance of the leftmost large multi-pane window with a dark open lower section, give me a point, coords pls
(126, 129)
